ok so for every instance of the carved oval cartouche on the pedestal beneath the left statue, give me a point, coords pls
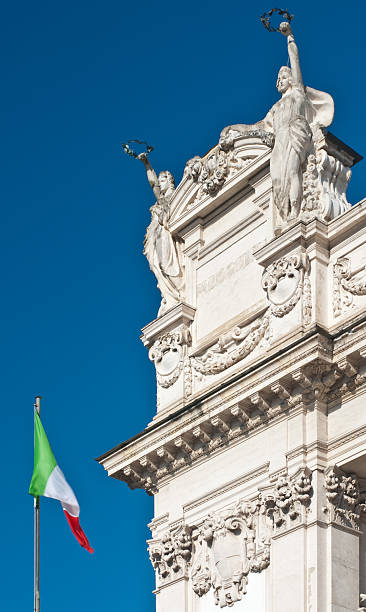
(167, 353)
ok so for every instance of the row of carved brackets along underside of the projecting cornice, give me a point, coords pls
(225, 423)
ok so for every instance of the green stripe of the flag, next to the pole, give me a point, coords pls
(44, 460)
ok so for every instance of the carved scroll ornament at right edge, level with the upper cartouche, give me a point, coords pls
(346, 284)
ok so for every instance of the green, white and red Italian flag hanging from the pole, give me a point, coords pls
(48, 480)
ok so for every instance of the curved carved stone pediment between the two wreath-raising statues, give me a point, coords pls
(207, 180)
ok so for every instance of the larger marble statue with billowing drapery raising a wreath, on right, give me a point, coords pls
(294, 121)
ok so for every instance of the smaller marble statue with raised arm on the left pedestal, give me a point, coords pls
(161, 249)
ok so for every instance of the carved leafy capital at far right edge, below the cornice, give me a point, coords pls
(345, 502)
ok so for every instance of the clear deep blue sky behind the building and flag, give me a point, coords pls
(78, 78)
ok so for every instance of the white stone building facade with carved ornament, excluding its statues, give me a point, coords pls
(256, 456)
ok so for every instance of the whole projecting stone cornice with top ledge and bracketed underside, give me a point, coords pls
(240, 407)
